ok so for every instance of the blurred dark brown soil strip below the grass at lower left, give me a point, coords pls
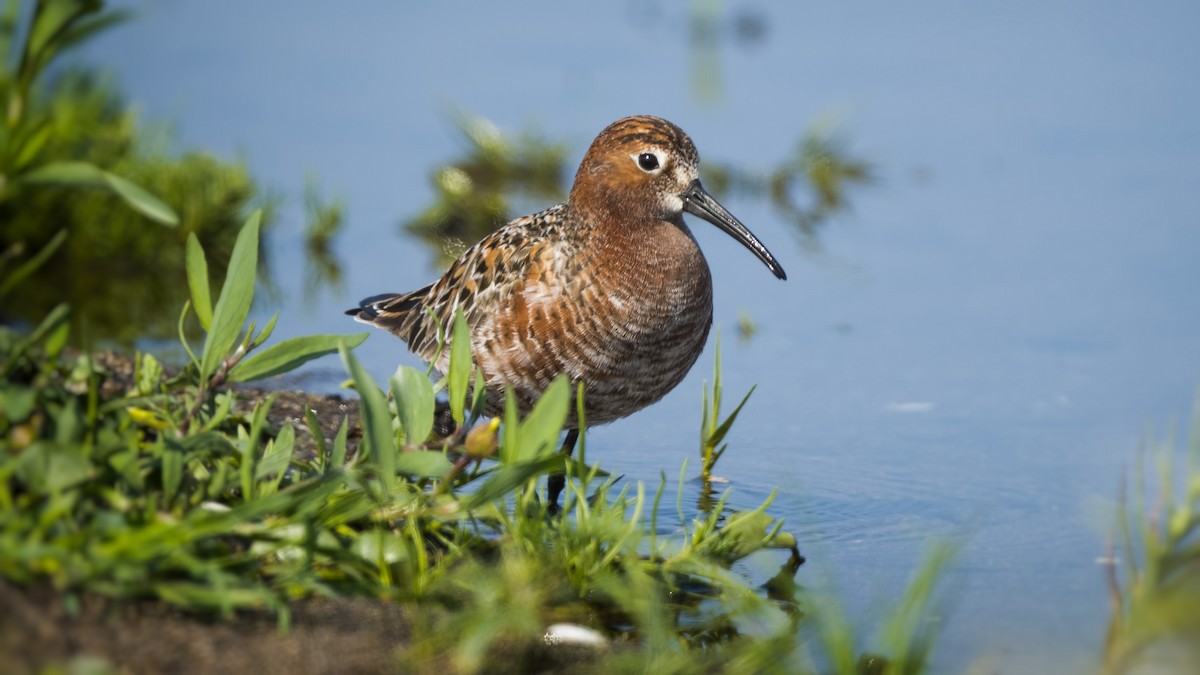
(328, 636)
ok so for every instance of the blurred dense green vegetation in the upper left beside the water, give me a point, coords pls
(83, 187)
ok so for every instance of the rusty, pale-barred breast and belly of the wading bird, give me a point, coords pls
(627, 319)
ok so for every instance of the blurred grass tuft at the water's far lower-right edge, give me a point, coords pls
(1156, 602)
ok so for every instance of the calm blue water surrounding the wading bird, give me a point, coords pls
(975, 353)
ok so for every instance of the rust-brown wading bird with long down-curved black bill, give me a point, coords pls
(610, 288)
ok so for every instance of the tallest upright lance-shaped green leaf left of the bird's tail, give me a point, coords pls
(237, 295)
